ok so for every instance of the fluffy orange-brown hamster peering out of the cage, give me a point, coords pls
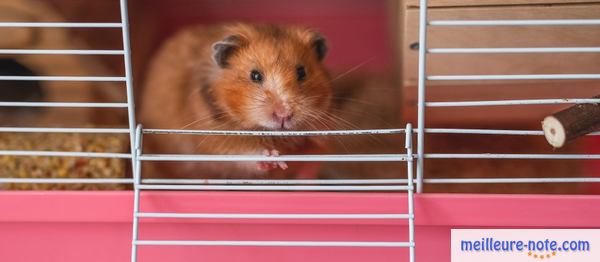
(237, 77)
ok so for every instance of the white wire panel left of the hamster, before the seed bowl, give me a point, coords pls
(124, 80)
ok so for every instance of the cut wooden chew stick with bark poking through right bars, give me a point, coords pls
(571, 123)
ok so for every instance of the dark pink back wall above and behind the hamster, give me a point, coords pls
(358, 30)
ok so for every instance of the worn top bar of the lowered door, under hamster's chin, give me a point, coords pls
(276, 133)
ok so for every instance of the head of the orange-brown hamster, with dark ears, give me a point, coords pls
(272, 77)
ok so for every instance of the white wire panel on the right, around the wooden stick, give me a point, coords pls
(425, 25)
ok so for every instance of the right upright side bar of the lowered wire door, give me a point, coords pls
(411, 213)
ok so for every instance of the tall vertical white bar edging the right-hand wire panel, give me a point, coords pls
(421, 96)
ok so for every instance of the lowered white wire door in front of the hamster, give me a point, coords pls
(365, 185)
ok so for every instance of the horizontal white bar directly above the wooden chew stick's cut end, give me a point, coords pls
(514, 102)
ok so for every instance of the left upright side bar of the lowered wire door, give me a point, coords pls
(137, 177)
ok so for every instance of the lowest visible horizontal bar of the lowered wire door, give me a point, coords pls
(270, 243)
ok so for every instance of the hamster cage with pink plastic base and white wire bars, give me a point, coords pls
(405, 214)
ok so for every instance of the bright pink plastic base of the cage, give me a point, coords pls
(96, 226)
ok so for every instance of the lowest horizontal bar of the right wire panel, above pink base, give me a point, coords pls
(511, 180)
